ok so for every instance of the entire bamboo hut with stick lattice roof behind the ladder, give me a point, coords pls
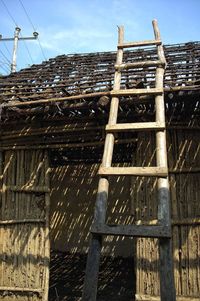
(53, 118)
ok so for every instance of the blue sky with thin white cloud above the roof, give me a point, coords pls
(82, 26)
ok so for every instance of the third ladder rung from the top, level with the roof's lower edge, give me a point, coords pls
(127, 92)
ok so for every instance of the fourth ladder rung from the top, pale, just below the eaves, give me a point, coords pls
(120, 127)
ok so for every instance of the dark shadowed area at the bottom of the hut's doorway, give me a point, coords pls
(116, 279)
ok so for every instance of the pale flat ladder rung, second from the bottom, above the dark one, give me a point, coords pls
(154, 171)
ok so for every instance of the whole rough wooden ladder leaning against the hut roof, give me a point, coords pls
(162, 230)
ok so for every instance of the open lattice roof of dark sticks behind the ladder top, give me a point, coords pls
(64, 78)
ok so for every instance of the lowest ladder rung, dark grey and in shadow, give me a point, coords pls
(132, 230)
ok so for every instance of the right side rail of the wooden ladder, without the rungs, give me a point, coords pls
(167, 286)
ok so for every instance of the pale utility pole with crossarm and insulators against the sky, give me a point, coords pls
(15, 45)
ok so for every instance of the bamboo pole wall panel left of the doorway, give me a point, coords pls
(24, 232)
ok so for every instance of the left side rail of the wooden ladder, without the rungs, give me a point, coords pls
(94, 253)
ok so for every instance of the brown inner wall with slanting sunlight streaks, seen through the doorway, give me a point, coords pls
(74, 189)
